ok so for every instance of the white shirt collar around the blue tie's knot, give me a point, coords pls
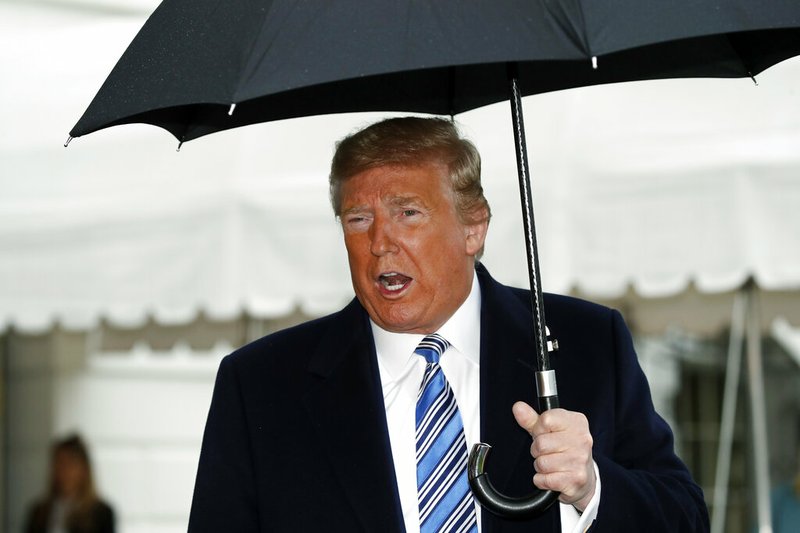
(462, 331)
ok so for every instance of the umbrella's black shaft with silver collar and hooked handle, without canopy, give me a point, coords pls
(540, 500)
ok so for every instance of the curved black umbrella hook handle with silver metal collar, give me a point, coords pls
(482, 488)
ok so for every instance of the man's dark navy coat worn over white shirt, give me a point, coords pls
(296, 438)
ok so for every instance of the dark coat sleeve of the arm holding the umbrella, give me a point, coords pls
(645, 486)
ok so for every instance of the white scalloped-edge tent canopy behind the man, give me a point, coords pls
(672, 190)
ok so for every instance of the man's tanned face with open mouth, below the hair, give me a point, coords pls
(411, 258)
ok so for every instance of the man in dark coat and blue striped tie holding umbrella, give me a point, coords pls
(314, 428)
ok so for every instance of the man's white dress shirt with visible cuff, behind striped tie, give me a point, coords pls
(401, 374)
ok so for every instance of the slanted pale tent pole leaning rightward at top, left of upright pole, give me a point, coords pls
(732, 371)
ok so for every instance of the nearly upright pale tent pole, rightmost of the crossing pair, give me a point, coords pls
(758, 413)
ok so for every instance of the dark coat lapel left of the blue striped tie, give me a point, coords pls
(345, 403)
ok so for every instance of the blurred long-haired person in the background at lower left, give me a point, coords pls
(72, 504)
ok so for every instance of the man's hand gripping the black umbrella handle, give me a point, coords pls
(562, 452)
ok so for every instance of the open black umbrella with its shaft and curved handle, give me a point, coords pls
(201, 66)
